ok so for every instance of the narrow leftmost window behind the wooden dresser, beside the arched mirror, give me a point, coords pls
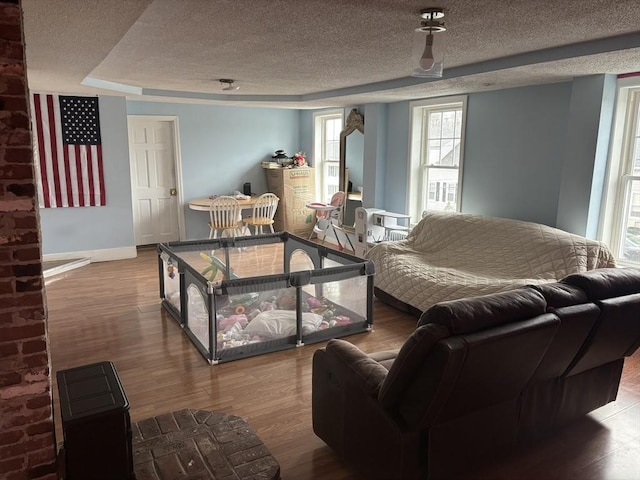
(327, 128)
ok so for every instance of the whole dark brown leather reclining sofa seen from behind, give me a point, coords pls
(478, 376)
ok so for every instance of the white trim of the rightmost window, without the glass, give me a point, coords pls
(614, 198)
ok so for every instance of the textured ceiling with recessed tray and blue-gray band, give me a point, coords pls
(309, 54)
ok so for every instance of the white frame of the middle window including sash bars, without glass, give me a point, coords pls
(418, 112)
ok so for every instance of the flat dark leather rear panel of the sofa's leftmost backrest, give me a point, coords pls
(490, 366)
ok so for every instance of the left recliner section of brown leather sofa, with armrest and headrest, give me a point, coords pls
(446, 400)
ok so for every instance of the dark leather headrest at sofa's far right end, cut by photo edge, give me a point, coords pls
(606, 282)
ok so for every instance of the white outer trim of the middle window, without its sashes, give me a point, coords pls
(415, 149)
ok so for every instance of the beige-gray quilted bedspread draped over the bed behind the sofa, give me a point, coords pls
(449, 256)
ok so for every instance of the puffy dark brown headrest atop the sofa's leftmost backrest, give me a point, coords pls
(487, 311)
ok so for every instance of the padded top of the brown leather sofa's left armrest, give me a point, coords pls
(360, 369)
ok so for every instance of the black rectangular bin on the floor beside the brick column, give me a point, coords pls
(95, 423)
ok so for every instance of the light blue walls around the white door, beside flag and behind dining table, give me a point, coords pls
(221, 148)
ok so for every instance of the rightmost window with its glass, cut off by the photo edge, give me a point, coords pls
(622, 209)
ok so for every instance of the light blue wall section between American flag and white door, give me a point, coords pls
(87, 229)
